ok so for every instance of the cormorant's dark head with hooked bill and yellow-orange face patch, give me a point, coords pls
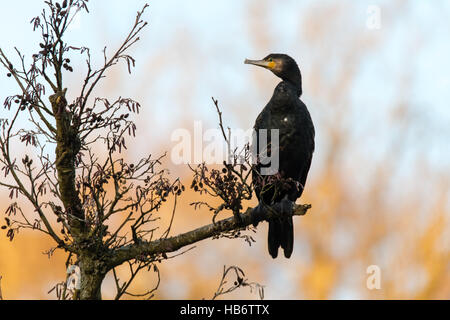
(283, 66)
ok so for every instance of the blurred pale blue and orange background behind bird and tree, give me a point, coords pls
(376, 79)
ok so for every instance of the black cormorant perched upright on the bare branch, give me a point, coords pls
(287, 113)
